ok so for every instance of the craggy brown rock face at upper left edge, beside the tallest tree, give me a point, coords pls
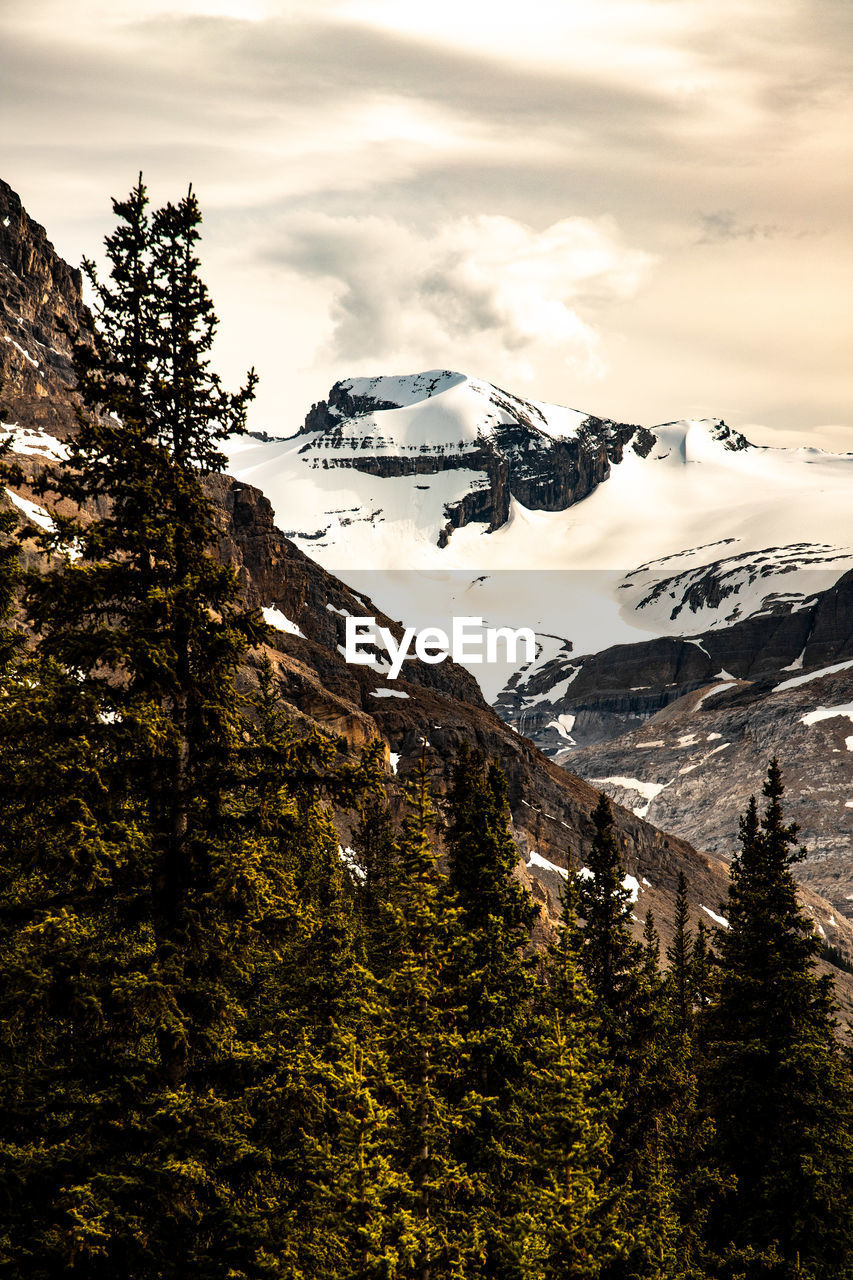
(42, 314)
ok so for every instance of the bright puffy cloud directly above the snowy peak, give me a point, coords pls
(471, 286)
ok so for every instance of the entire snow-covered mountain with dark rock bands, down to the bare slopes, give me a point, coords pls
(662, 532)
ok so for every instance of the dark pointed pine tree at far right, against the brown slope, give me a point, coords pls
(782, 1095)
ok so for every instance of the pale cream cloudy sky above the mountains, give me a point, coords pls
(638, 208)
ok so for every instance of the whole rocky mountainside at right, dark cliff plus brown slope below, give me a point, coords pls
(682, 732)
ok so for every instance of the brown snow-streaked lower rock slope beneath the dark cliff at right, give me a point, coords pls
(692, 767)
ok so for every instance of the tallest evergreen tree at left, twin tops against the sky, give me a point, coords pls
(145, 618)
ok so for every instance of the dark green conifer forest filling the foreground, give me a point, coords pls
(232, 1050)
